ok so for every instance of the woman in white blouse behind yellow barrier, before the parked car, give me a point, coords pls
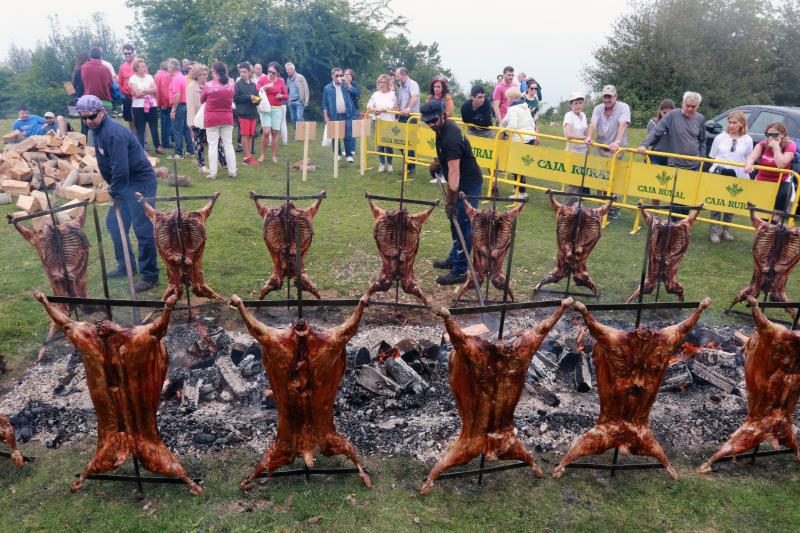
(733, 144)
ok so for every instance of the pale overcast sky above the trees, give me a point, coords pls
(551, 40)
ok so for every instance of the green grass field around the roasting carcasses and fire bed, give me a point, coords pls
(342, 262)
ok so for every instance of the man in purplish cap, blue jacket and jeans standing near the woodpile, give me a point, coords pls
(124, 166)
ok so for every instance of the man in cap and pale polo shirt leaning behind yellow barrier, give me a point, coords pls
(610, 120)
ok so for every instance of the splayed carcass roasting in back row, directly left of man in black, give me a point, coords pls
(397, 236)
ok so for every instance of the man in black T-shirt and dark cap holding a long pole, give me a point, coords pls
(456, 162)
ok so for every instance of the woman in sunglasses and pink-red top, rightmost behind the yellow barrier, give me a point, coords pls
(776, 151)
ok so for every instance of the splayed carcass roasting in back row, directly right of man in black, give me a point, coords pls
(491, 239)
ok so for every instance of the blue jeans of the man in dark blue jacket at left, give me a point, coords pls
(133, 215)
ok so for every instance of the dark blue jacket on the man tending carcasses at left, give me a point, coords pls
(120, 157)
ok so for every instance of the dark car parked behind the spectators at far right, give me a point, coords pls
(758, 118)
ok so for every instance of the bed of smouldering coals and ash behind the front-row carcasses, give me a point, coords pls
(394, 398)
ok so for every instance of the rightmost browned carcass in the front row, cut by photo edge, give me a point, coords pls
(772, 375)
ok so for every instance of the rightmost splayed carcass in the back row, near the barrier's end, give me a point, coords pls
(771, 243)
